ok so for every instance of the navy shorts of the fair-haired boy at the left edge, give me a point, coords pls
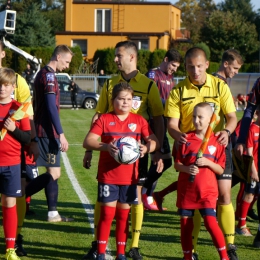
(10, 180)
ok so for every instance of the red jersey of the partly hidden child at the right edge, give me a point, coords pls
(252, 141)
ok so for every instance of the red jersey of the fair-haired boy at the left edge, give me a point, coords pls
(10, 148)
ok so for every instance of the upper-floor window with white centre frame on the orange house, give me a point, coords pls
(103, 20)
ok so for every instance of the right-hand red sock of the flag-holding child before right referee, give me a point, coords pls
(213, 228)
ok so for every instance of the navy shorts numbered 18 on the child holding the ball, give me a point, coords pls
(121, 193)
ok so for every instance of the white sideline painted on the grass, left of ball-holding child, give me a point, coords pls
(83, 198)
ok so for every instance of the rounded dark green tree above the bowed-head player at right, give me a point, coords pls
(225, 30)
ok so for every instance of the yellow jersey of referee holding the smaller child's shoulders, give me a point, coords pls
(185, 96)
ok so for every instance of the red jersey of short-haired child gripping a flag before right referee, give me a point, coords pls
(203, 192)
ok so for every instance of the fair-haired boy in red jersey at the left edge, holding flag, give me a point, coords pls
(10, 153)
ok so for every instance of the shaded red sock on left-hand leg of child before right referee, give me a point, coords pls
(186, 237)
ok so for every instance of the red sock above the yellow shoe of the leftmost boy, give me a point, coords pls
(9, 225)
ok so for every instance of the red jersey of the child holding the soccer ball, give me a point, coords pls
(110, 127)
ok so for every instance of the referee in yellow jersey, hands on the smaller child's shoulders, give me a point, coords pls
(202, 87)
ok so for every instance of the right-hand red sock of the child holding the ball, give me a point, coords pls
(122, 229)
